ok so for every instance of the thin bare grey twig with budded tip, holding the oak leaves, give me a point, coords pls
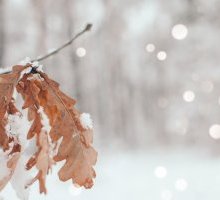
(87, 28)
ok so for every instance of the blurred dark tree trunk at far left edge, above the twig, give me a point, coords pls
(2, 32)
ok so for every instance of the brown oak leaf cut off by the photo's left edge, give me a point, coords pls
(10, 146)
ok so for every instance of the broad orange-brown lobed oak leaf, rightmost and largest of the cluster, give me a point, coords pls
(75, 146)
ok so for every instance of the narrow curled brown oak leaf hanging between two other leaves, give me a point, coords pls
(28, 87)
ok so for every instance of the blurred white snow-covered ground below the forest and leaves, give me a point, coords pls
(148, 175)
